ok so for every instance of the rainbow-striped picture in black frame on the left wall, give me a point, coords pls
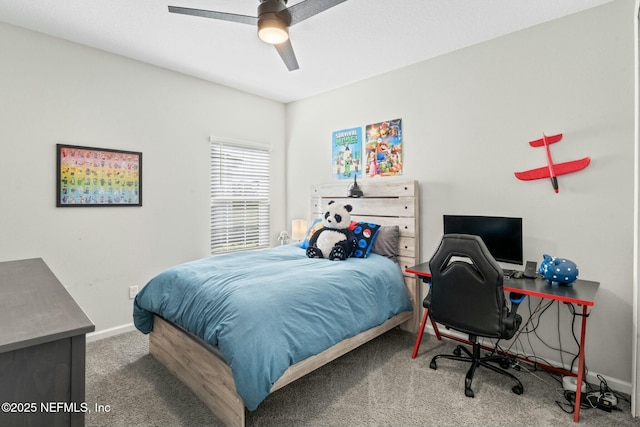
(87, 176)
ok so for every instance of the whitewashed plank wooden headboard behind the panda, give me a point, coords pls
(385, 202)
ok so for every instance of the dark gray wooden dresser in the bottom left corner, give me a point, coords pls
(42, 348)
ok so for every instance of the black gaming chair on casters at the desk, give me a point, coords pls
(466, 295)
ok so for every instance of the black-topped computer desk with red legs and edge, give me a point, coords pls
(581, 292)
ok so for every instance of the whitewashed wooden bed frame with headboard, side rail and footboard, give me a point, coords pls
(200, 367)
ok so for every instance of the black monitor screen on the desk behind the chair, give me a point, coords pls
(501, 235)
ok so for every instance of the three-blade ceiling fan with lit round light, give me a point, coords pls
(273, 21)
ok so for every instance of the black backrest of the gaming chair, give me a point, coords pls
(466, 289)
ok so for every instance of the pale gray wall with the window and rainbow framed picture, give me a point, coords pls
(52, 91)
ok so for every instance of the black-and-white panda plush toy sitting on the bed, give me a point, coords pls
(334, 240)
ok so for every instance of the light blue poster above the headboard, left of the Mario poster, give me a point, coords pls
(347, 153)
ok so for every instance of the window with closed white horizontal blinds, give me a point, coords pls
(239, 196)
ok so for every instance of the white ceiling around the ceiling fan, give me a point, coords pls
(349, 42)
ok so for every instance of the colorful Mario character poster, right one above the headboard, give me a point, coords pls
(383, 151)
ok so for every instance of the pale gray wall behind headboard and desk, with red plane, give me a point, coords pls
(467, 118)
